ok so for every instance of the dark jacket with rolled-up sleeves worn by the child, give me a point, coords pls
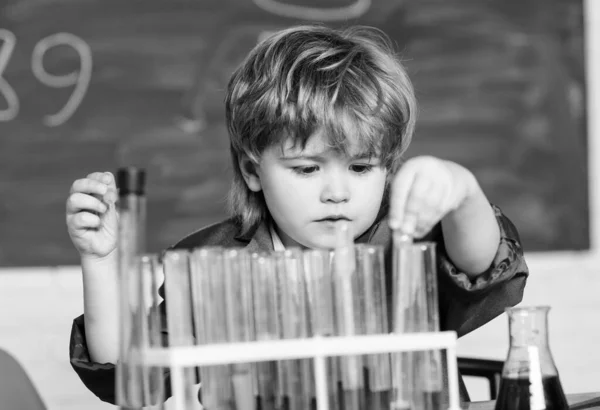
(464, 304)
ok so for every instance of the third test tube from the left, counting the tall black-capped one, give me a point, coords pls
(180, 322)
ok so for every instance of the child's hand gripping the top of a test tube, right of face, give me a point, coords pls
(424, 190)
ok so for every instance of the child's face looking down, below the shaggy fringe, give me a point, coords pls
(308, 191)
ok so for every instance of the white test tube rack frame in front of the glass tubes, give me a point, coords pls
(317, 348)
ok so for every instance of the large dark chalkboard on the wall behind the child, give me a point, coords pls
(88, 85)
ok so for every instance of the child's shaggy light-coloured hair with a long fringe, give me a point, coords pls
(302, 79)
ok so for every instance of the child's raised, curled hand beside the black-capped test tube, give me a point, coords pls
(91, 215)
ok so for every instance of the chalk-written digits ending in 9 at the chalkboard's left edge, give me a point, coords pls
(79, 80)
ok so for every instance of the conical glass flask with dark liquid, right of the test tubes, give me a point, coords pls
(529, 378)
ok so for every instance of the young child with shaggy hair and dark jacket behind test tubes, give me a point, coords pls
(318, 121)
